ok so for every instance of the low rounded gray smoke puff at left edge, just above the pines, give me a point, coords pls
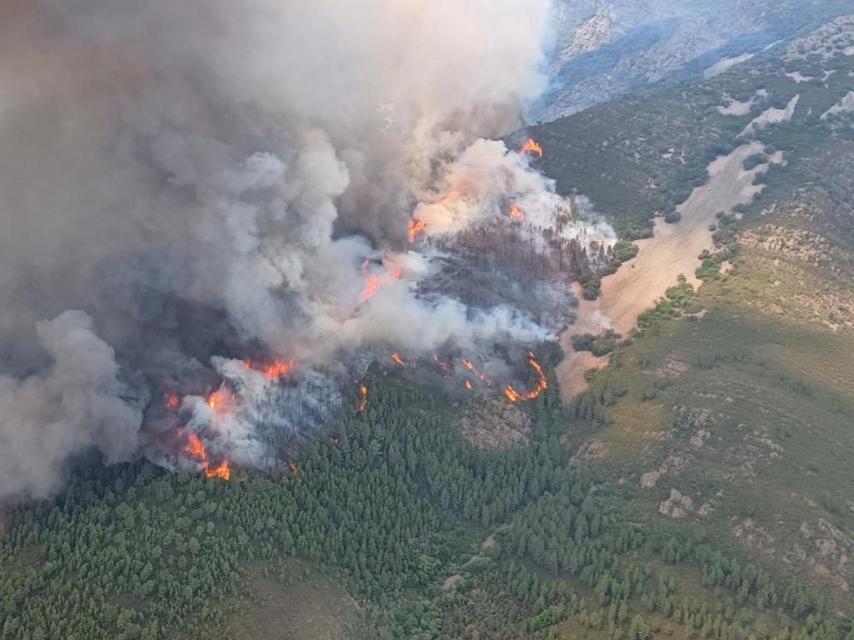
(77, 403)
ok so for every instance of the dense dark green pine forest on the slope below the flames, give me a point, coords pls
(395, 505)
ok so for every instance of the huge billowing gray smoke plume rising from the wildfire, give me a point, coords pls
(202, 174)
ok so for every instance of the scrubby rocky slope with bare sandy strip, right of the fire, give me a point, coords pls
(739, 396)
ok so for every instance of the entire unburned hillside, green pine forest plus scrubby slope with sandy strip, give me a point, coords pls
(697, 483)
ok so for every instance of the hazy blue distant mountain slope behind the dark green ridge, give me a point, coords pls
(608, 48)
